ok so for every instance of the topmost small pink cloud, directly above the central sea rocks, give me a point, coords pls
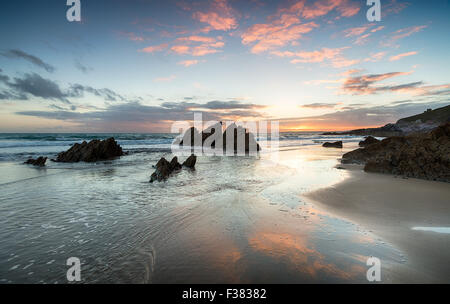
(219, 17)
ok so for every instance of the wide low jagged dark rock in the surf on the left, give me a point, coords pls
(95, 150)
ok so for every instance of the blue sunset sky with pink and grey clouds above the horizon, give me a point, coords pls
(140, 65)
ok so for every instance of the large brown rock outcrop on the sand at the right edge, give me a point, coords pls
(425, 156)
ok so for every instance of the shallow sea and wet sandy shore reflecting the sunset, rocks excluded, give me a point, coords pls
(260, 219)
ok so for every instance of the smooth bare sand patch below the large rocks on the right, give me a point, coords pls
(390, 207)
